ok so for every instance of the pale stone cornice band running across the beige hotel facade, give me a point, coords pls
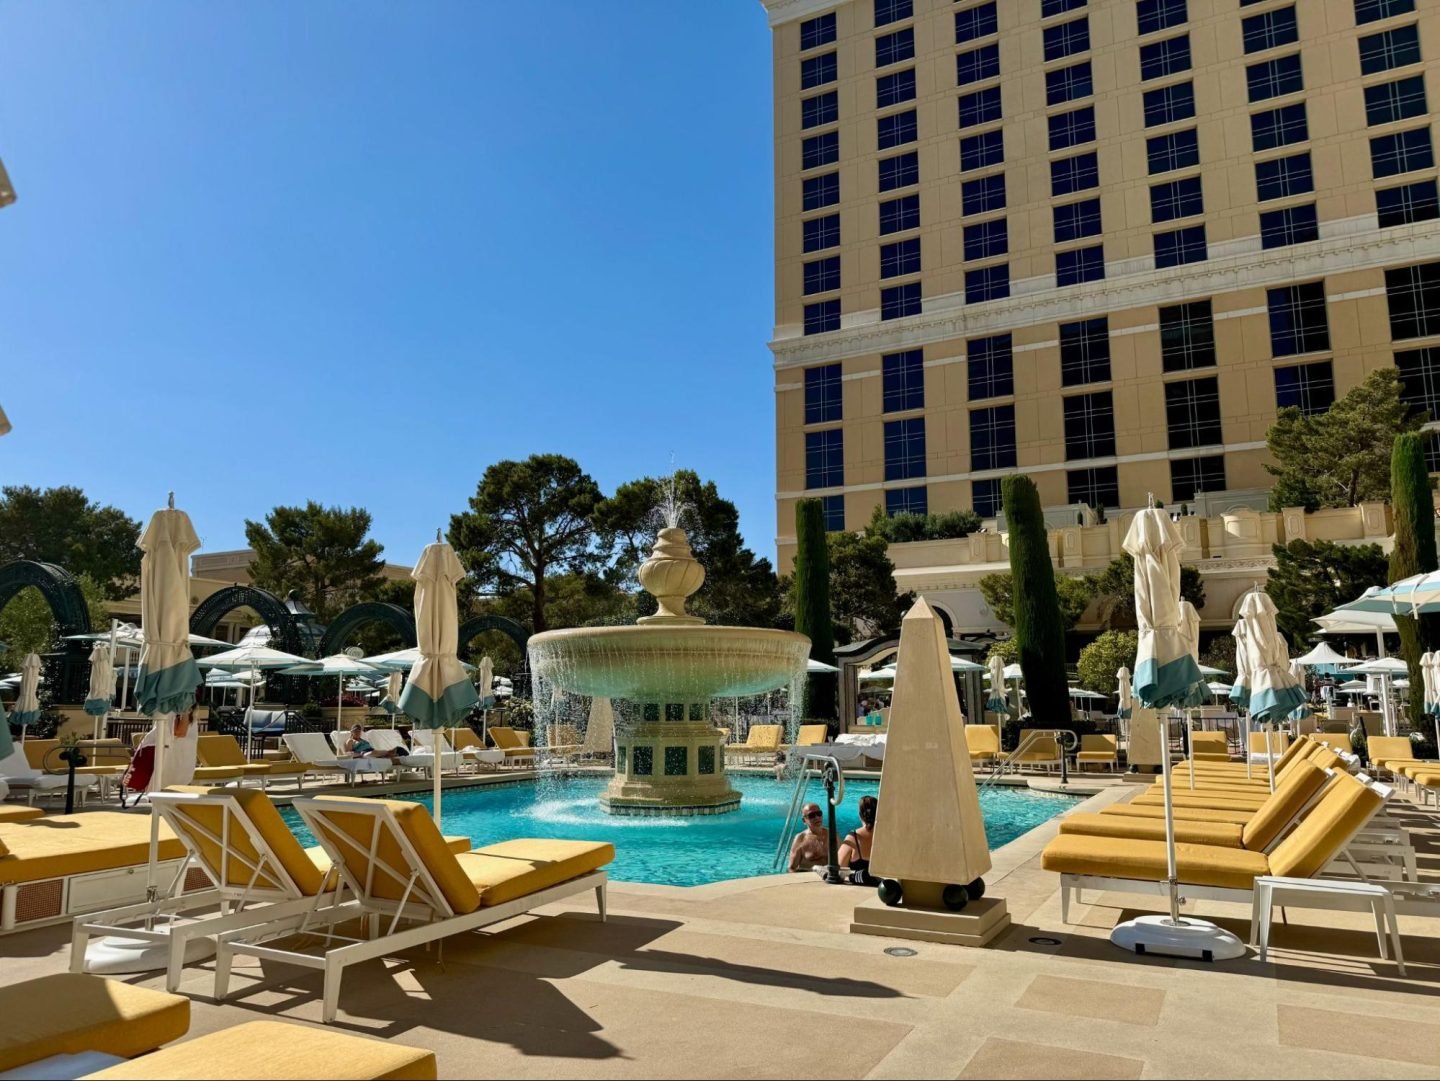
(1039, 302)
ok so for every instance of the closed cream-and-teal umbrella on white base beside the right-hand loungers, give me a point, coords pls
(1166, 674)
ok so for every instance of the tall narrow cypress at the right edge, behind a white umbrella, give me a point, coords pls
(1415, 553)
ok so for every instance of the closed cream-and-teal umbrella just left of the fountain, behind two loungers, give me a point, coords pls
(438, 693)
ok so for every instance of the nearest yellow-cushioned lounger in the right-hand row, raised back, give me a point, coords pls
(1210, 872)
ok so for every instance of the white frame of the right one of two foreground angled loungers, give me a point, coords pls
(421, 902)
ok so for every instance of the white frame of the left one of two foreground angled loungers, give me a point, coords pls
(182, 918)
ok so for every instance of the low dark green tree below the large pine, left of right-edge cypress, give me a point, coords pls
(1314, 578)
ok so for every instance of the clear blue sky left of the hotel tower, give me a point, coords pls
(355, 253)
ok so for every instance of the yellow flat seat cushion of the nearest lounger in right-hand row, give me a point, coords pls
(1229, 869)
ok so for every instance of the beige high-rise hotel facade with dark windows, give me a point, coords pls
(1097, 243)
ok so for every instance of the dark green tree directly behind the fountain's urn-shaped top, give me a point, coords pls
(741, 588)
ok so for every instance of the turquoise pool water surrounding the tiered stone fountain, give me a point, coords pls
(685, 851)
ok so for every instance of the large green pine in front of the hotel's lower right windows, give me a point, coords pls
(1341, 457)
